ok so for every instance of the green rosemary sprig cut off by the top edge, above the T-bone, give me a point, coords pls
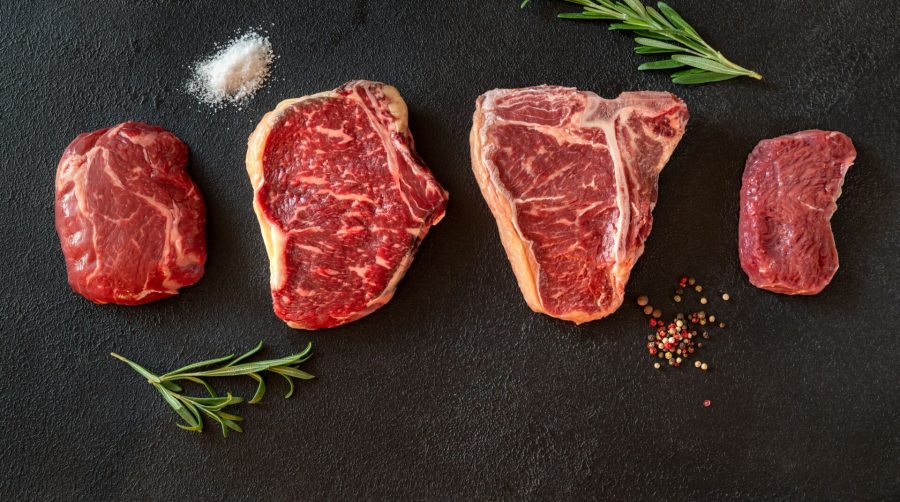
(663, 31)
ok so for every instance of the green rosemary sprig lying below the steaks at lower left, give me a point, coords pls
(191, 409)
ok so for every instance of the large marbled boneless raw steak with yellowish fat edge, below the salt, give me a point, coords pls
(343, 202)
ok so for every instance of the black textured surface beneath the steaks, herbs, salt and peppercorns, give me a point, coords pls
(455, 389)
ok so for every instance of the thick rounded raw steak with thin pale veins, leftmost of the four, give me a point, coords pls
(130, 219)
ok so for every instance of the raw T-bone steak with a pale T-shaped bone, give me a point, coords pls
(571, 180)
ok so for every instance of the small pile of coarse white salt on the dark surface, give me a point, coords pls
(234, 73)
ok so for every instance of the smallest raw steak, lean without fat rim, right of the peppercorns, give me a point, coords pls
(790, 187)
